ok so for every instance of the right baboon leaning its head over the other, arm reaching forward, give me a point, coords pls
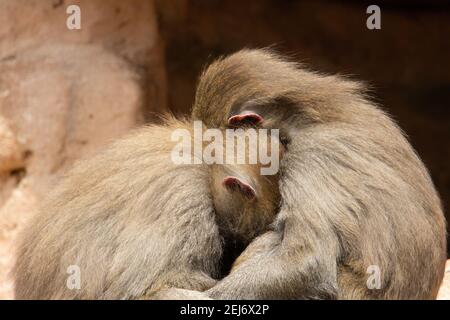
(357, 203)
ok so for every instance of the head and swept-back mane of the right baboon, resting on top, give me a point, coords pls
(259, 88)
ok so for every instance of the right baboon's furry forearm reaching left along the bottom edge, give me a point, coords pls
(269, 269)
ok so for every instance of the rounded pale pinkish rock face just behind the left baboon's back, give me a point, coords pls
(73, 107)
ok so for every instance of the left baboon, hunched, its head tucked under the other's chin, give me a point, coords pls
(133, 222)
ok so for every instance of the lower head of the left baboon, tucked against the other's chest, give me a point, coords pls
(245, 195)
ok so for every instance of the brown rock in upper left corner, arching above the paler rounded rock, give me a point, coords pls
(127, 29)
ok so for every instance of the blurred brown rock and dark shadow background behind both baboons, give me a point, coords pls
(66, 93)
